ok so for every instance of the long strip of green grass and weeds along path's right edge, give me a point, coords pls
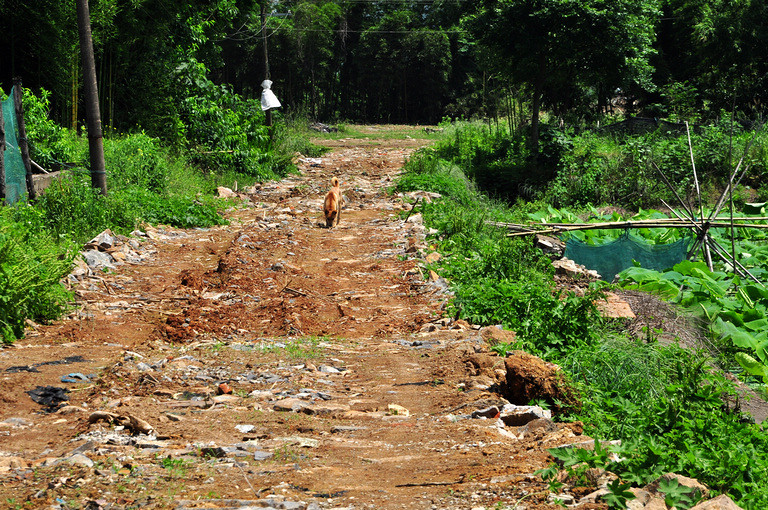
(664, 402)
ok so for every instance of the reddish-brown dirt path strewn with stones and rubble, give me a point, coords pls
(269, 363)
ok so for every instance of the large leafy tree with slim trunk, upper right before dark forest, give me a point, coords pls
(560, 47)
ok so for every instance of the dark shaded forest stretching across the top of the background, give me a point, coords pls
(395, 61)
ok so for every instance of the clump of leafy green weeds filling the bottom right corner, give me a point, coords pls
(666, 407)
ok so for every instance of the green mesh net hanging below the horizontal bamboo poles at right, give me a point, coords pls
(611, 258)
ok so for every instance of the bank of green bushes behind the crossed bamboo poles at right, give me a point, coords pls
(620, 169)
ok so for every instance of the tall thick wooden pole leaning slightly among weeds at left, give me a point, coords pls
(92, 113)
